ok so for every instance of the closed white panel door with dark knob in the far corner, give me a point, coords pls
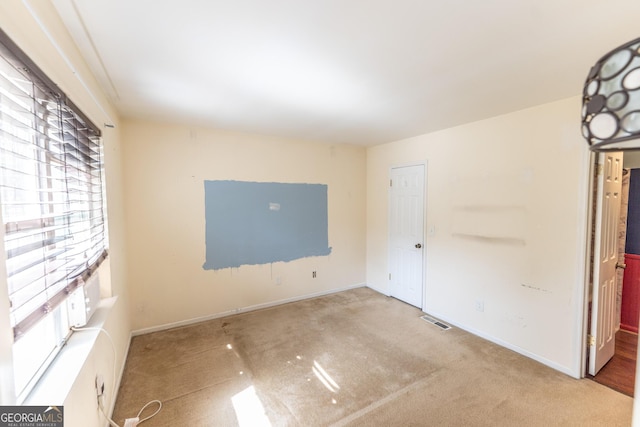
(406, 233)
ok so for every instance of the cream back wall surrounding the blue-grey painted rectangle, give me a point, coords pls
(165, 169)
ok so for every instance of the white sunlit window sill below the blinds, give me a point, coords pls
(56, 382)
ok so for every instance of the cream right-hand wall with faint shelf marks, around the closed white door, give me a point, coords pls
(506, 198)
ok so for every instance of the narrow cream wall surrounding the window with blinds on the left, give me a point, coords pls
(36, 28)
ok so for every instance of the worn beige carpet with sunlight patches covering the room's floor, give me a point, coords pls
(355, 358)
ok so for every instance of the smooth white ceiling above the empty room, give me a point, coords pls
(342, 71)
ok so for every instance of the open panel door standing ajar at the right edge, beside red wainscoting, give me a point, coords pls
(605, 256)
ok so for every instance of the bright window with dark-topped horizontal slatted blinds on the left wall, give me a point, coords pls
(51, 200)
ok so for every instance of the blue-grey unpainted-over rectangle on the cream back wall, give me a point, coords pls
(249, 223)
